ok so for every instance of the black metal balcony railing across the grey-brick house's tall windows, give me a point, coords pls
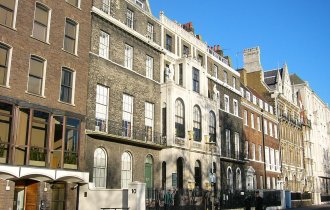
(125, 130)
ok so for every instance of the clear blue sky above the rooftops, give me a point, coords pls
(293, 31)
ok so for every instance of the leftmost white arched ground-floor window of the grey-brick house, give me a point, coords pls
(100, 168)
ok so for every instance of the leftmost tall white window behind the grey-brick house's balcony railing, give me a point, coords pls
(101, 101)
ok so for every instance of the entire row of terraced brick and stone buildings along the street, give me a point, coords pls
(97, 95)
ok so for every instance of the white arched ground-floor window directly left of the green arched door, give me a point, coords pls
(126, 169)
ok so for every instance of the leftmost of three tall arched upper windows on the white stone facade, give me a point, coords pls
(179, 119)
